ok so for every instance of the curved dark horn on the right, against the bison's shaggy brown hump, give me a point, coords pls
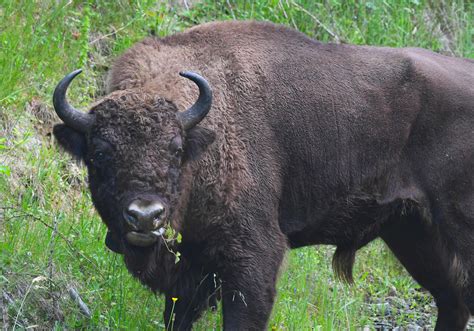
(199, 110)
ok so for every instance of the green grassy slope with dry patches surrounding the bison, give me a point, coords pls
(52, 241)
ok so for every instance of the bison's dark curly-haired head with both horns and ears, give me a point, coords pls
(136, 147)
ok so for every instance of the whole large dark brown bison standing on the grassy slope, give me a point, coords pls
(291, 142)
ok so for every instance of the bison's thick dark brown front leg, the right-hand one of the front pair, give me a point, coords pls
(248, 282)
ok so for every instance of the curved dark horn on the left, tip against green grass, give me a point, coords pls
(74, 118)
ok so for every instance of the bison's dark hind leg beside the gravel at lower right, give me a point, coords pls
(419, 246)
